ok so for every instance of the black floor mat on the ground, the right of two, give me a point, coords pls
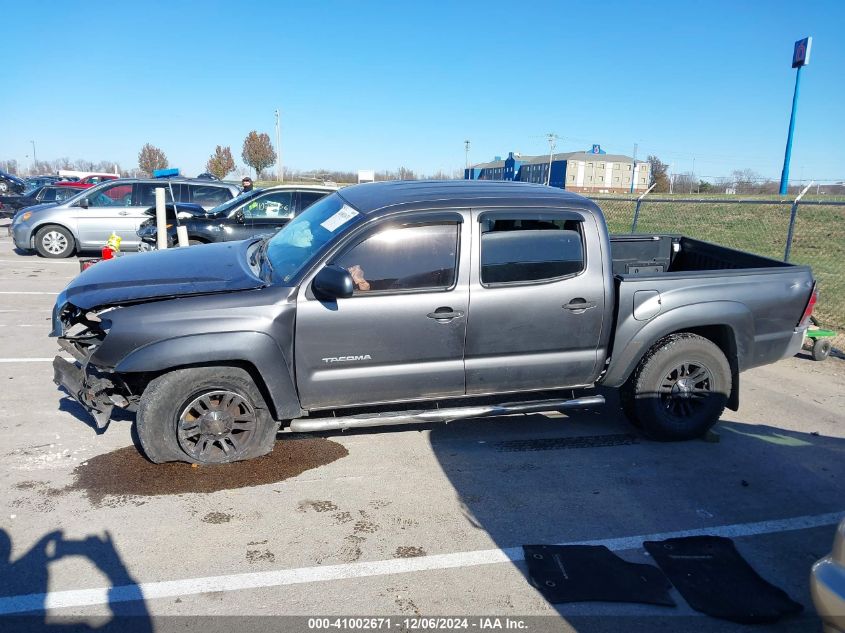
(715, 579)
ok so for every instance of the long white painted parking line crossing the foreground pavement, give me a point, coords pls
(282, 577)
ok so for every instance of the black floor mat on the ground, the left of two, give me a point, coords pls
(587, 573)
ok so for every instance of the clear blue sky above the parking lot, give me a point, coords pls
(377, 85)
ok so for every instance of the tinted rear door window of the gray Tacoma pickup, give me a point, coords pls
(524, 248)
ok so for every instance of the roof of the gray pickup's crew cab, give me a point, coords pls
(375, 196)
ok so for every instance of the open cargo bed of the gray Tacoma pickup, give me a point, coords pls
(672, 283)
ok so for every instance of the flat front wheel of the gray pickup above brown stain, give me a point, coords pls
(204, 415)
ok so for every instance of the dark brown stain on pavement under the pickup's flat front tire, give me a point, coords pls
(125, 472)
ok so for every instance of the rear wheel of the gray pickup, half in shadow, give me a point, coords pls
(680, 388)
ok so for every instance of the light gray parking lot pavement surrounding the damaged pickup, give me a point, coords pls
(408, 522)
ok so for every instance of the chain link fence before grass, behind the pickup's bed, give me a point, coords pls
(757, 226)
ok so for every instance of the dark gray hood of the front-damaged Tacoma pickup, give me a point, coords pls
(170, 273)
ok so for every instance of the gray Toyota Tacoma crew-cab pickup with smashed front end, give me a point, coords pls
(420, 302)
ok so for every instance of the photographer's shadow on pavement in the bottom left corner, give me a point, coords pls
(24, 583)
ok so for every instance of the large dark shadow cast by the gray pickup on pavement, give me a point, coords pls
(535, 479)
